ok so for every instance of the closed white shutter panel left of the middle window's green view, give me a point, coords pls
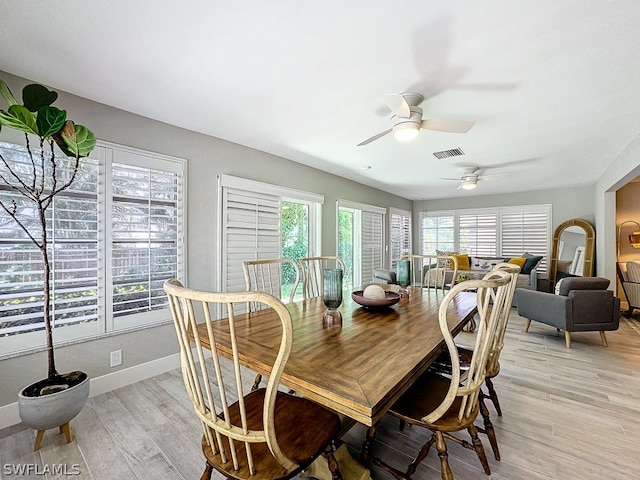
(250, 231)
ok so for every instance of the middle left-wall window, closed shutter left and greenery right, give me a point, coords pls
(262, 221)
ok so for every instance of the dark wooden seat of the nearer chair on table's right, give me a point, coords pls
(424, 396)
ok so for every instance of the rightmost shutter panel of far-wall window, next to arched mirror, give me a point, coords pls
(526, 231)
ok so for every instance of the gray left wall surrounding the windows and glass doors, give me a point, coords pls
(207, 157)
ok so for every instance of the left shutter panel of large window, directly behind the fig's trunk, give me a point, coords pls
(72, 221)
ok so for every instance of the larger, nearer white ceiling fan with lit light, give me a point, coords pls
(407, 119)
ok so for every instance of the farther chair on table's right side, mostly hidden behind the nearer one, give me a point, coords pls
(442, 364)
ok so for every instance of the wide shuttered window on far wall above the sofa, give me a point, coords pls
(503, 231)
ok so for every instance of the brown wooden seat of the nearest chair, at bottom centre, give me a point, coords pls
(303, 428)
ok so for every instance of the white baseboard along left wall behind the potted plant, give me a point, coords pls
(9, 415)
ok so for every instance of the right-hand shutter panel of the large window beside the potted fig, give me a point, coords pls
(146, 242)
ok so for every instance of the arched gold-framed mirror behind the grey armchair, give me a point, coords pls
(573, 251)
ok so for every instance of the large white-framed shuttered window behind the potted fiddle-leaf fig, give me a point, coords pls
(110, 249)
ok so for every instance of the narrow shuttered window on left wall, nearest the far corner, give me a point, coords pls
(360, 241)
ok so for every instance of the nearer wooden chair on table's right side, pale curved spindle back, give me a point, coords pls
(446, 405)
